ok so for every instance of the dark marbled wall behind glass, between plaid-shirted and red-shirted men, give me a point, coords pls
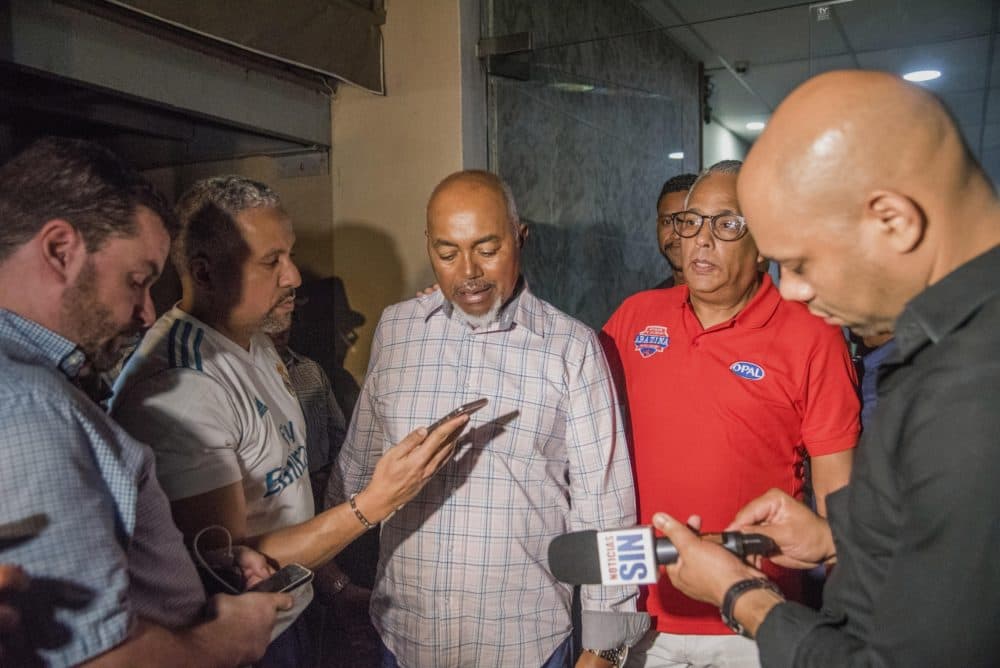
(585, 141)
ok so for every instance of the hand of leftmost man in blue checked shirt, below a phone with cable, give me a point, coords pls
(241, 628)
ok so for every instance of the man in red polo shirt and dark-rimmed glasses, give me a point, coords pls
(728, 388)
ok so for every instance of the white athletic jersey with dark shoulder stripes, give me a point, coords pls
(216, 414)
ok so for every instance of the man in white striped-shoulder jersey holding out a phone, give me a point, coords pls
(208, 391)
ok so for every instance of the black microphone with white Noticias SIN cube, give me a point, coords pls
(632, 556)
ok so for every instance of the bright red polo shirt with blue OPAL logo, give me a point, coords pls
(718, 416)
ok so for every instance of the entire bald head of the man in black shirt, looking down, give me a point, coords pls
(863, 189)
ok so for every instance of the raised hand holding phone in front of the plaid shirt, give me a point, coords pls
(404, 470)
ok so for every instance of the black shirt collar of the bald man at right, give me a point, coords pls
(944, 306)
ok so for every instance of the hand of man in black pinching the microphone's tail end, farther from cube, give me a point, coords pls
(803, 537)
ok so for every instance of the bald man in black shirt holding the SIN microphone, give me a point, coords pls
(863, 190)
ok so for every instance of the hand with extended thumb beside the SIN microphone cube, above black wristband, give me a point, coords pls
(704, 570)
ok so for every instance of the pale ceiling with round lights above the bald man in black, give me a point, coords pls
(784, 42)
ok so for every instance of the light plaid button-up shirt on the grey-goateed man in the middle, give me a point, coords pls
(463, 577)
